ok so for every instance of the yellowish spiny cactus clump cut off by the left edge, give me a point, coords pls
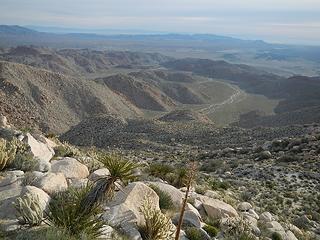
(7, 152)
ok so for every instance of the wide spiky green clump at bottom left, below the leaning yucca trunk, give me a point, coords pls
(67, 214)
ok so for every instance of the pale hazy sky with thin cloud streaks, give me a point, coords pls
(294, 21)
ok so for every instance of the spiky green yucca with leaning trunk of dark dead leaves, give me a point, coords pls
(121, 170)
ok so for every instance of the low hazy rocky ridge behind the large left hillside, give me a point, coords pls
(79, 61)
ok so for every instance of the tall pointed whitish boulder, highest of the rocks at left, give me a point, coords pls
(41, 151)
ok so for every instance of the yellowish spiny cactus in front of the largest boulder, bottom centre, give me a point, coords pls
(157, 226)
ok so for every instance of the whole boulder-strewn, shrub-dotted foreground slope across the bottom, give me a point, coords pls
(261, 191)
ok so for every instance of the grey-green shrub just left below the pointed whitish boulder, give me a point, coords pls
(24, 161)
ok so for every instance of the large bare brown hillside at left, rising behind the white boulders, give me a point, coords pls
(54, 102)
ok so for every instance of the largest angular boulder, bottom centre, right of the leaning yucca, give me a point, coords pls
(125, 209)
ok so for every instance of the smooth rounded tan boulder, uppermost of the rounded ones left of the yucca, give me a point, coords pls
(70, 167)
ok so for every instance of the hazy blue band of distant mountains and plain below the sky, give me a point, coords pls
(281, 59)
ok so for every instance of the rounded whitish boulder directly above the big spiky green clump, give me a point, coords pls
(52, 183)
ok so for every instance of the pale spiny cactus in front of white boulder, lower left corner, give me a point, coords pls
(29, 210)
